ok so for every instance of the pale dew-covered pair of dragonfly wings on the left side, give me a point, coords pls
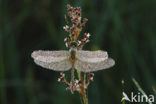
(54, 60)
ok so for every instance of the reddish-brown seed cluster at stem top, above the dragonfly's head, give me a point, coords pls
(75, 15)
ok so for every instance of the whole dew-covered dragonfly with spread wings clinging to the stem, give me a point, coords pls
(81, 60)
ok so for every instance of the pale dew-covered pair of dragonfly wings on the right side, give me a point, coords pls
(89, 61)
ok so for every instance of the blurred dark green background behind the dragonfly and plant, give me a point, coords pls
(124, 28)
